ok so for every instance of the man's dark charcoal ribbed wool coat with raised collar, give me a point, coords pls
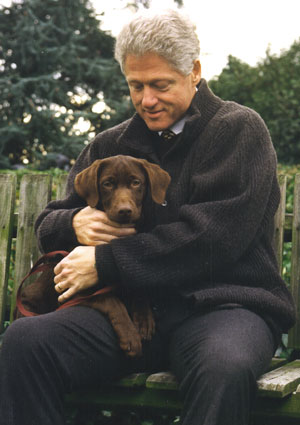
(212, 242)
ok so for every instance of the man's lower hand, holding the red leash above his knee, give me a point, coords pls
(75, 272)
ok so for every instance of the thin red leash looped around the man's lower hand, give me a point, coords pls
(41, 266)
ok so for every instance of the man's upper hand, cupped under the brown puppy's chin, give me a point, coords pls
(92, 227)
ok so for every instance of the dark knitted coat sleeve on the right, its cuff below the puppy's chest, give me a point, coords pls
(233, 197)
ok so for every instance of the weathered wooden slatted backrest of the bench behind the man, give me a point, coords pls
(18, 215)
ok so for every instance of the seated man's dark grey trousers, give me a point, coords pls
(217, 357)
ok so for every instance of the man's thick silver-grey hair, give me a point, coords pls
(169, 34)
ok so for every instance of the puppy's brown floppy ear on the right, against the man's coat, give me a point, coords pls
(159, 180)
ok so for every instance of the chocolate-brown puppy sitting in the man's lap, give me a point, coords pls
(118, 186)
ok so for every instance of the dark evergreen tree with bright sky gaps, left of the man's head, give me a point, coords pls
(56, 66)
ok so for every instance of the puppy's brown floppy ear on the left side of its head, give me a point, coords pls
(86, 183)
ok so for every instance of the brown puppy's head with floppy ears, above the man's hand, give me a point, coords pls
(119, 184)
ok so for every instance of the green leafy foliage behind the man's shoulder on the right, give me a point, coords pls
(272, 88)
